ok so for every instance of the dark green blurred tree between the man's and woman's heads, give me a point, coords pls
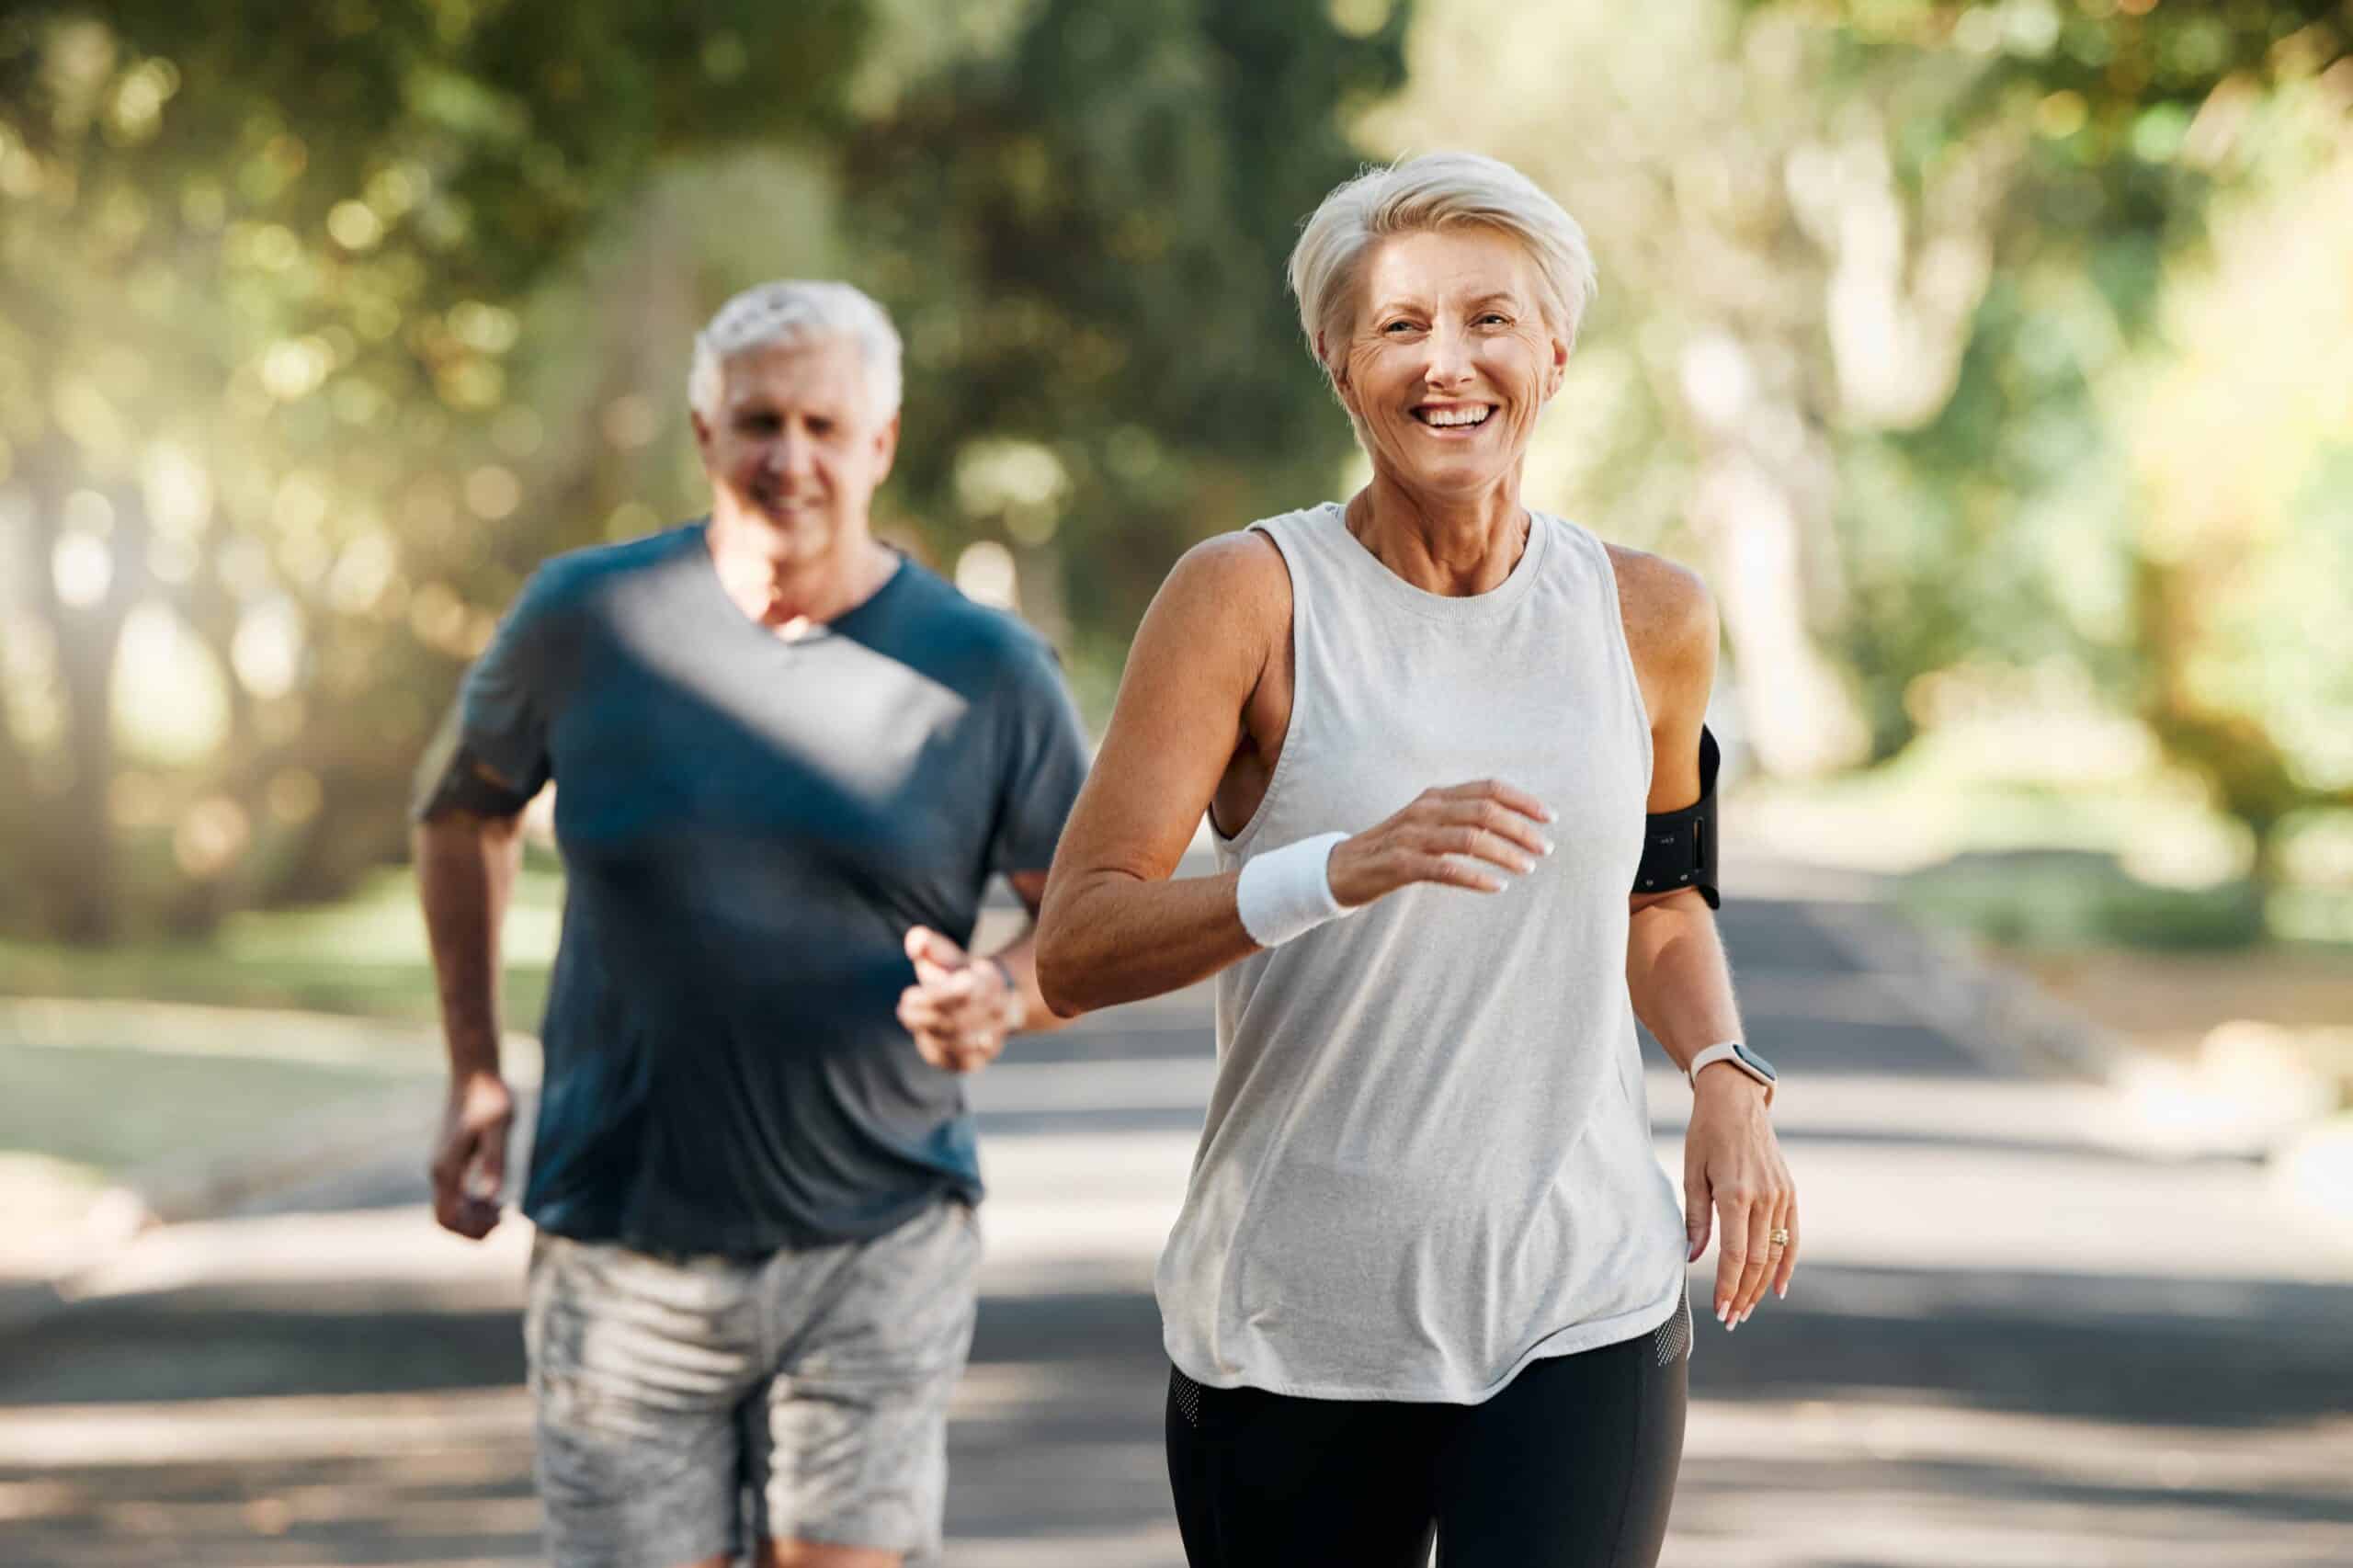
(1081, 220)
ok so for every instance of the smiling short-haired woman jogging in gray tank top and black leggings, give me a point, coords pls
(1429, 1277)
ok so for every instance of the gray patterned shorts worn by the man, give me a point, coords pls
(691, 1407)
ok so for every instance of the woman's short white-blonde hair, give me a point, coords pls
(1422, 194)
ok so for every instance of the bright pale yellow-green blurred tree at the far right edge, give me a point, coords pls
(2241, 449)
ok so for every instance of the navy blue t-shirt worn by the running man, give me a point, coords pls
(749, 828)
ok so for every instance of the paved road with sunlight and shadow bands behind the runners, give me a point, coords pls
(2015, 1341)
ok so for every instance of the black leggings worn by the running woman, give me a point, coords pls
(1573, 1466)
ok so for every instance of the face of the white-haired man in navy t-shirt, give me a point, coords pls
(796, 449)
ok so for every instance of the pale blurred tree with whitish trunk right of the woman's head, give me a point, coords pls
(1740, 230)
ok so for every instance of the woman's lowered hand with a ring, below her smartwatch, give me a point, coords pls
(1733, 1164)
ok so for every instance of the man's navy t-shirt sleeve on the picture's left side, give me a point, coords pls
(491, 752)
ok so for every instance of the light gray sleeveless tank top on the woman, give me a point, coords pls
(1427, 1157)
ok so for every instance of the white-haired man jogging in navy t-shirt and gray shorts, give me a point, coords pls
(789, 759)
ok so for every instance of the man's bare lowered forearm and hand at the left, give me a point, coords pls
(465, 875)
